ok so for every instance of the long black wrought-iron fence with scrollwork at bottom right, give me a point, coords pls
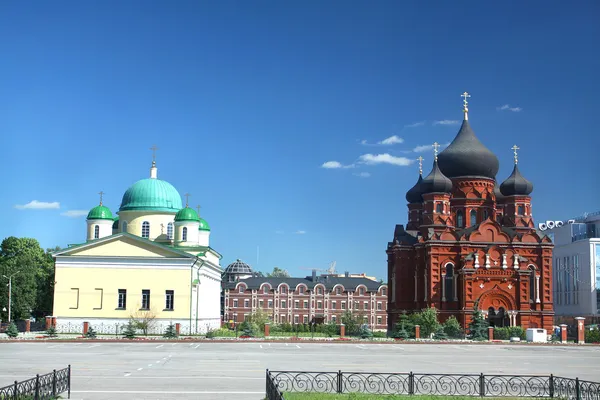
(280, 382)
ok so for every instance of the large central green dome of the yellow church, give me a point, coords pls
(151, 195)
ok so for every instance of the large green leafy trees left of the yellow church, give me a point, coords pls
(32, 271)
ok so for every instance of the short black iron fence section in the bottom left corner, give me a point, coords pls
(42, 387)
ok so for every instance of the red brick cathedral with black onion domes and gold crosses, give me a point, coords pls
(469, 243)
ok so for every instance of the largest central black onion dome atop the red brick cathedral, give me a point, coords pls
(467, 156)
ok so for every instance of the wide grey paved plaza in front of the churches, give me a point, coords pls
(237, 370)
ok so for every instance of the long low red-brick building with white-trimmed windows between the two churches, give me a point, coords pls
(319, 299)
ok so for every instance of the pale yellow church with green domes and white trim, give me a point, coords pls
(153, 263)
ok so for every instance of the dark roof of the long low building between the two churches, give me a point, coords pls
(329, 282)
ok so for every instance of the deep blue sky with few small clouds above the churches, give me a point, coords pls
(248, 100)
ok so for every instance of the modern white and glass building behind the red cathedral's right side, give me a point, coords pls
(576, 265)
